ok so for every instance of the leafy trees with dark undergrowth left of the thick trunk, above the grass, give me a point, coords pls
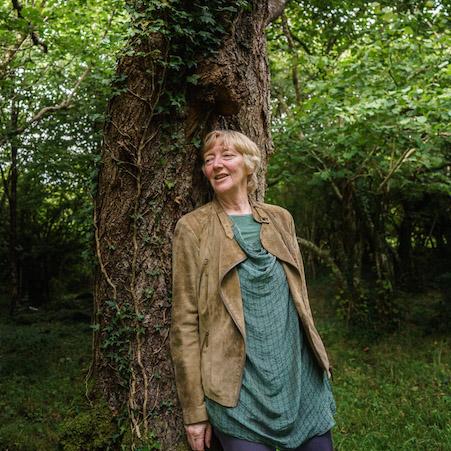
(52, 87)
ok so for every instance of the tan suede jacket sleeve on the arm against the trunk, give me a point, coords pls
(184, 332)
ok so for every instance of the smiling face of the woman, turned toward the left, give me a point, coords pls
(225, 170)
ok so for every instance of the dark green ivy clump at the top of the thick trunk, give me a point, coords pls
(191, 32)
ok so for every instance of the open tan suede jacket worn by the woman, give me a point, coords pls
(208, 335)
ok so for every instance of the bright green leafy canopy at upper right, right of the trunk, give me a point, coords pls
(381, 97)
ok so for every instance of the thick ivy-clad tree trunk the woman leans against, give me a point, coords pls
(150, 176)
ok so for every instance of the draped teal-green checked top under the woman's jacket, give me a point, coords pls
(285, 397)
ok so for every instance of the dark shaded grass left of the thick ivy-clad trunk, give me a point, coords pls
(43, 359)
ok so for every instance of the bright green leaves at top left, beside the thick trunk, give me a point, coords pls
(36, 79)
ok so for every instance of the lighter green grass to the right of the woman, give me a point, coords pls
(391, 394)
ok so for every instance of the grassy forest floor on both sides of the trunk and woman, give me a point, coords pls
(392, 392)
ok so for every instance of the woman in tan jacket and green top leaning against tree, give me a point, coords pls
(247, 357)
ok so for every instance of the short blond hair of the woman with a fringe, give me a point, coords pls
(244, 145)
